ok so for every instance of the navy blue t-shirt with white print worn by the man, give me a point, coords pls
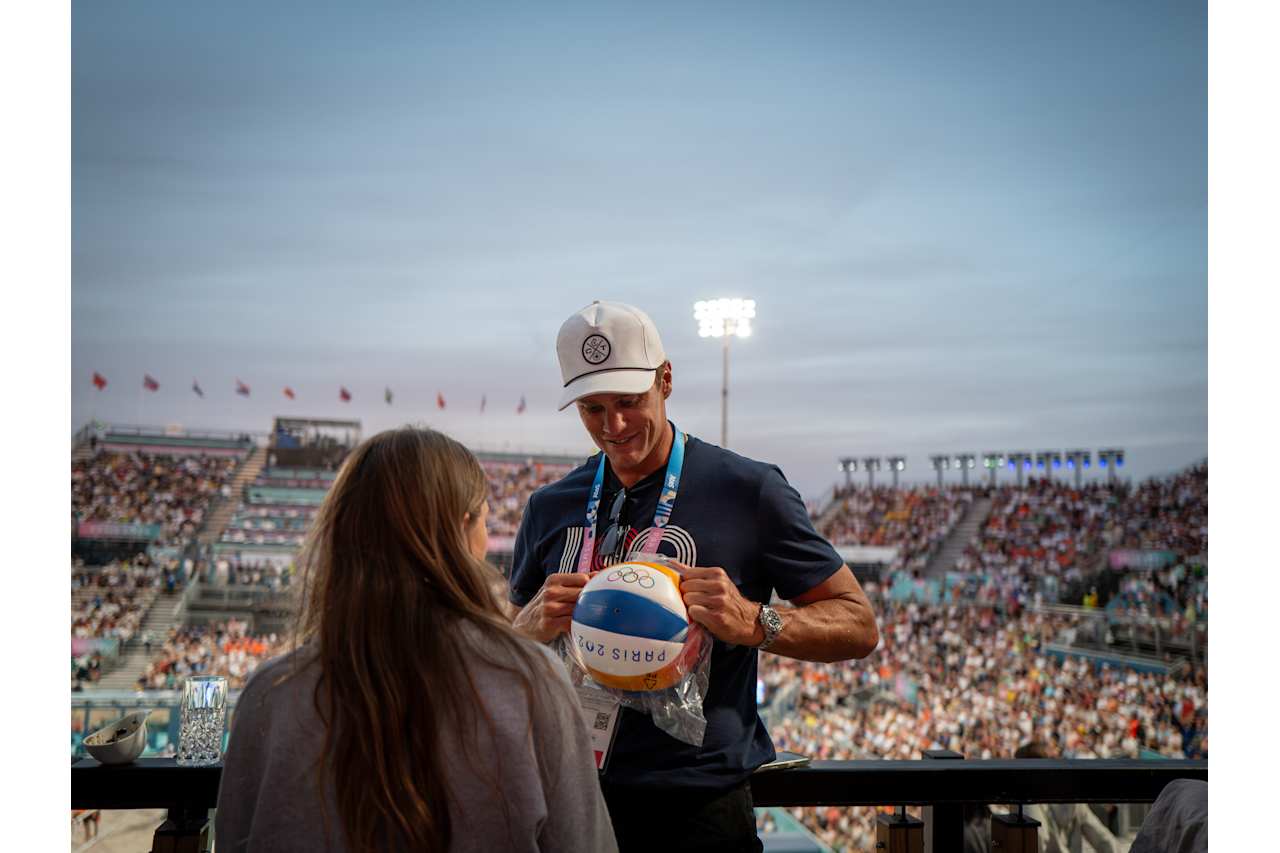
(733, 513)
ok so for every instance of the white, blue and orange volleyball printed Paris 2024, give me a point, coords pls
(632, 628)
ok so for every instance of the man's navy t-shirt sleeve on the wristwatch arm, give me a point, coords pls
(793, 555)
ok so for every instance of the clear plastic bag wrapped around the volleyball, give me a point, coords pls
(676, 710)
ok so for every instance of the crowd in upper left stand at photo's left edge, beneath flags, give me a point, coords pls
(141, 489)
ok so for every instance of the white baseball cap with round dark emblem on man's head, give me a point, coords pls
(607, 349)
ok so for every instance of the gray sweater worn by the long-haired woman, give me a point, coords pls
(269, 800)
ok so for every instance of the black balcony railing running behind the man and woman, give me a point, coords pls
(943, 782)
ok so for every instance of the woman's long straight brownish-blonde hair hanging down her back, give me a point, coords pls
(388, 581)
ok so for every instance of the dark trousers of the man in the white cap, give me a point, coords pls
(679, 820)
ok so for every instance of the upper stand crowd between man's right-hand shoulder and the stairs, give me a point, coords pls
(915, 521)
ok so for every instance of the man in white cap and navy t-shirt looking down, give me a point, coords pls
(739, 533)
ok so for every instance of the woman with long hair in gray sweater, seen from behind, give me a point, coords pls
(410, 717)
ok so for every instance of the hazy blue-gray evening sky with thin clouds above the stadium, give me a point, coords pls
(967, 230)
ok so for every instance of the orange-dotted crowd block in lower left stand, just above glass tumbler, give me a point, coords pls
(222, 649)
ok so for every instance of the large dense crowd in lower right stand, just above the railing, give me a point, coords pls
(981, 682)
